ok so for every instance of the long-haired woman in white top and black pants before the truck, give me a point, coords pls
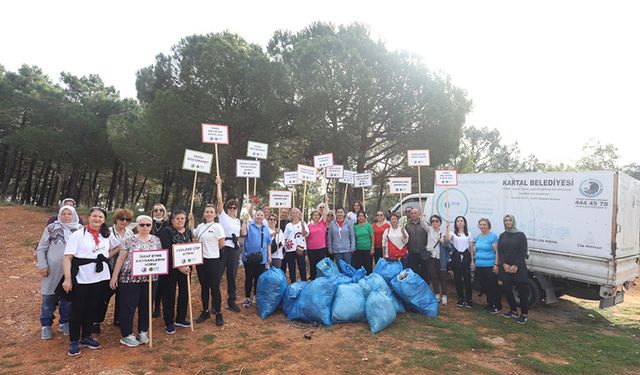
(462, 261)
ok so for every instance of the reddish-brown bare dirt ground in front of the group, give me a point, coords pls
(245, 344)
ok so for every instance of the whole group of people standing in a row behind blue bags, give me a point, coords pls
(82, 266)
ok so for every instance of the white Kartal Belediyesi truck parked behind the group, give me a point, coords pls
(583, 228)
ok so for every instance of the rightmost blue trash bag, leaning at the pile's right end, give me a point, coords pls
(415, 293)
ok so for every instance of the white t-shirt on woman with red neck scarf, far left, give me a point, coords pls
(82, 245)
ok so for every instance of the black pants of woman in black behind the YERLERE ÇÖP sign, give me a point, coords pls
(168, 287)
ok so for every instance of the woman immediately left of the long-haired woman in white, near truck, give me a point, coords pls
(439, 259)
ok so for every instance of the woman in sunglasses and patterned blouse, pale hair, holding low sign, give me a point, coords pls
(134, 291)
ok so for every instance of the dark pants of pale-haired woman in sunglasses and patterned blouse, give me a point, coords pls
(133, 296)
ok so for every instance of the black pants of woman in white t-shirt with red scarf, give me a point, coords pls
(86, 307)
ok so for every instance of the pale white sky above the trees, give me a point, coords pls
(550, 75)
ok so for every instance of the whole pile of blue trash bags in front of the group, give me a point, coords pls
(347, 296)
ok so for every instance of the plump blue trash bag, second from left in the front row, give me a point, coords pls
(314, 302)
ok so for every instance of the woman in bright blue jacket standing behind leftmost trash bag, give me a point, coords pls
(255, 255)
